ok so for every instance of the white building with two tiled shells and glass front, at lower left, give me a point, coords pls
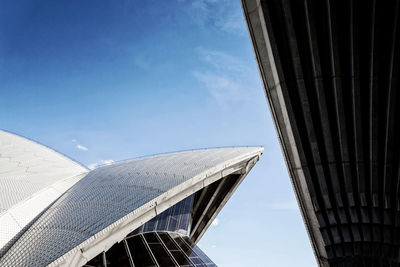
(148, 211)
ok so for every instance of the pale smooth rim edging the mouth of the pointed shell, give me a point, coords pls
(104, 239)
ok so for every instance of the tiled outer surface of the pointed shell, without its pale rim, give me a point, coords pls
(105, 195)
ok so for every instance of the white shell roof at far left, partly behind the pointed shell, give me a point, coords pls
(32, 176)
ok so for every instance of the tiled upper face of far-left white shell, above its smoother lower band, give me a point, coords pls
(27, 167)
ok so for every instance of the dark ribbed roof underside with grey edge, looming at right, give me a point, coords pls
(331, 76)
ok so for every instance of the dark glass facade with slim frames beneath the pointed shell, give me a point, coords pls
(162, 241)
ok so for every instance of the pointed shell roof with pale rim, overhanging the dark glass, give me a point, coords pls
(111, 201)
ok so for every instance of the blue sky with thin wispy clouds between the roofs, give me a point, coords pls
(102, 81)
